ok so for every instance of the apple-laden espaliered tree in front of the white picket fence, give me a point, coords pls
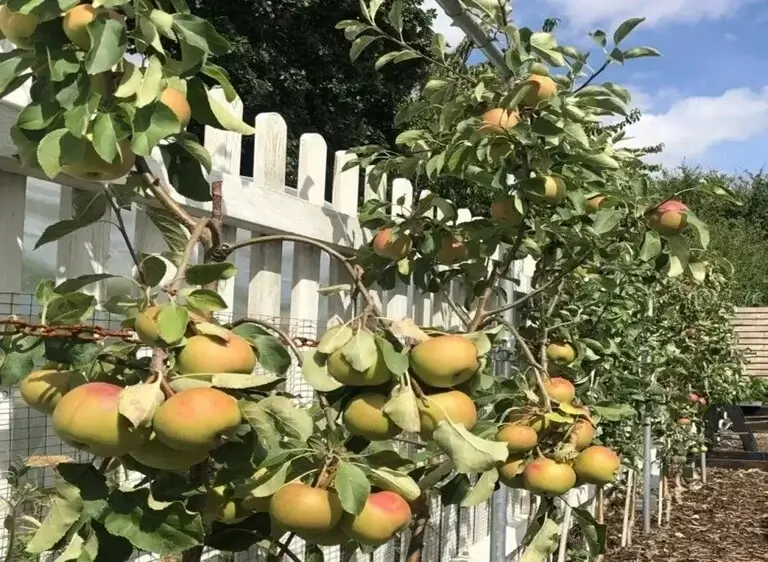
(228, 460)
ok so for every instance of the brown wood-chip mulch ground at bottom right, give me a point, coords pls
(725, 519)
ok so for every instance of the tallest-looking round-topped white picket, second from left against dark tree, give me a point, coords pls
(268, 172)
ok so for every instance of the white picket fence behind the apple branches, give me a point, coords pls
(276, 280)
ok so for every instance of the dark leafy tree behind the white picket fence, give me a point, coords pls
(287, 57)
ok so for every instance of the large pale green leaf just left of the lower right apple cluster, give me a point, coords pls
(469, 453)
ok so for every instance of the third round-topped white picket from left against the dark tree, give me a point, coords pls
(313, 156)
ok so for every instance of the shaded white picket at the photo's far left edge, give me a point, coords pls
(14, 194)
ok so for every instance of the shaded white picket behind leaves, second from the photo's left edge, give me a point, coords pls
(84, 251)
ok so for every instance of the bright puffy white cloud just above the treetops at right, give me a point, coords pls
(693, 125)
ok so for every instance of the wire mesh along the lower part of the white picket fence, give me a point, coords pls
(25, 433)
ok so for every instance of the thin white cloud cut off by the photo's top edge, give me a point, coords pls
(587, 13)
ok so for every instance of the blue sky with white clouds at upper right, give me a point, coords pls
(706, 98)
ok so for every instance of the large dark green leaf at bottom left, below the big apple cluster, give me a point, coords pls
(164, 532)
